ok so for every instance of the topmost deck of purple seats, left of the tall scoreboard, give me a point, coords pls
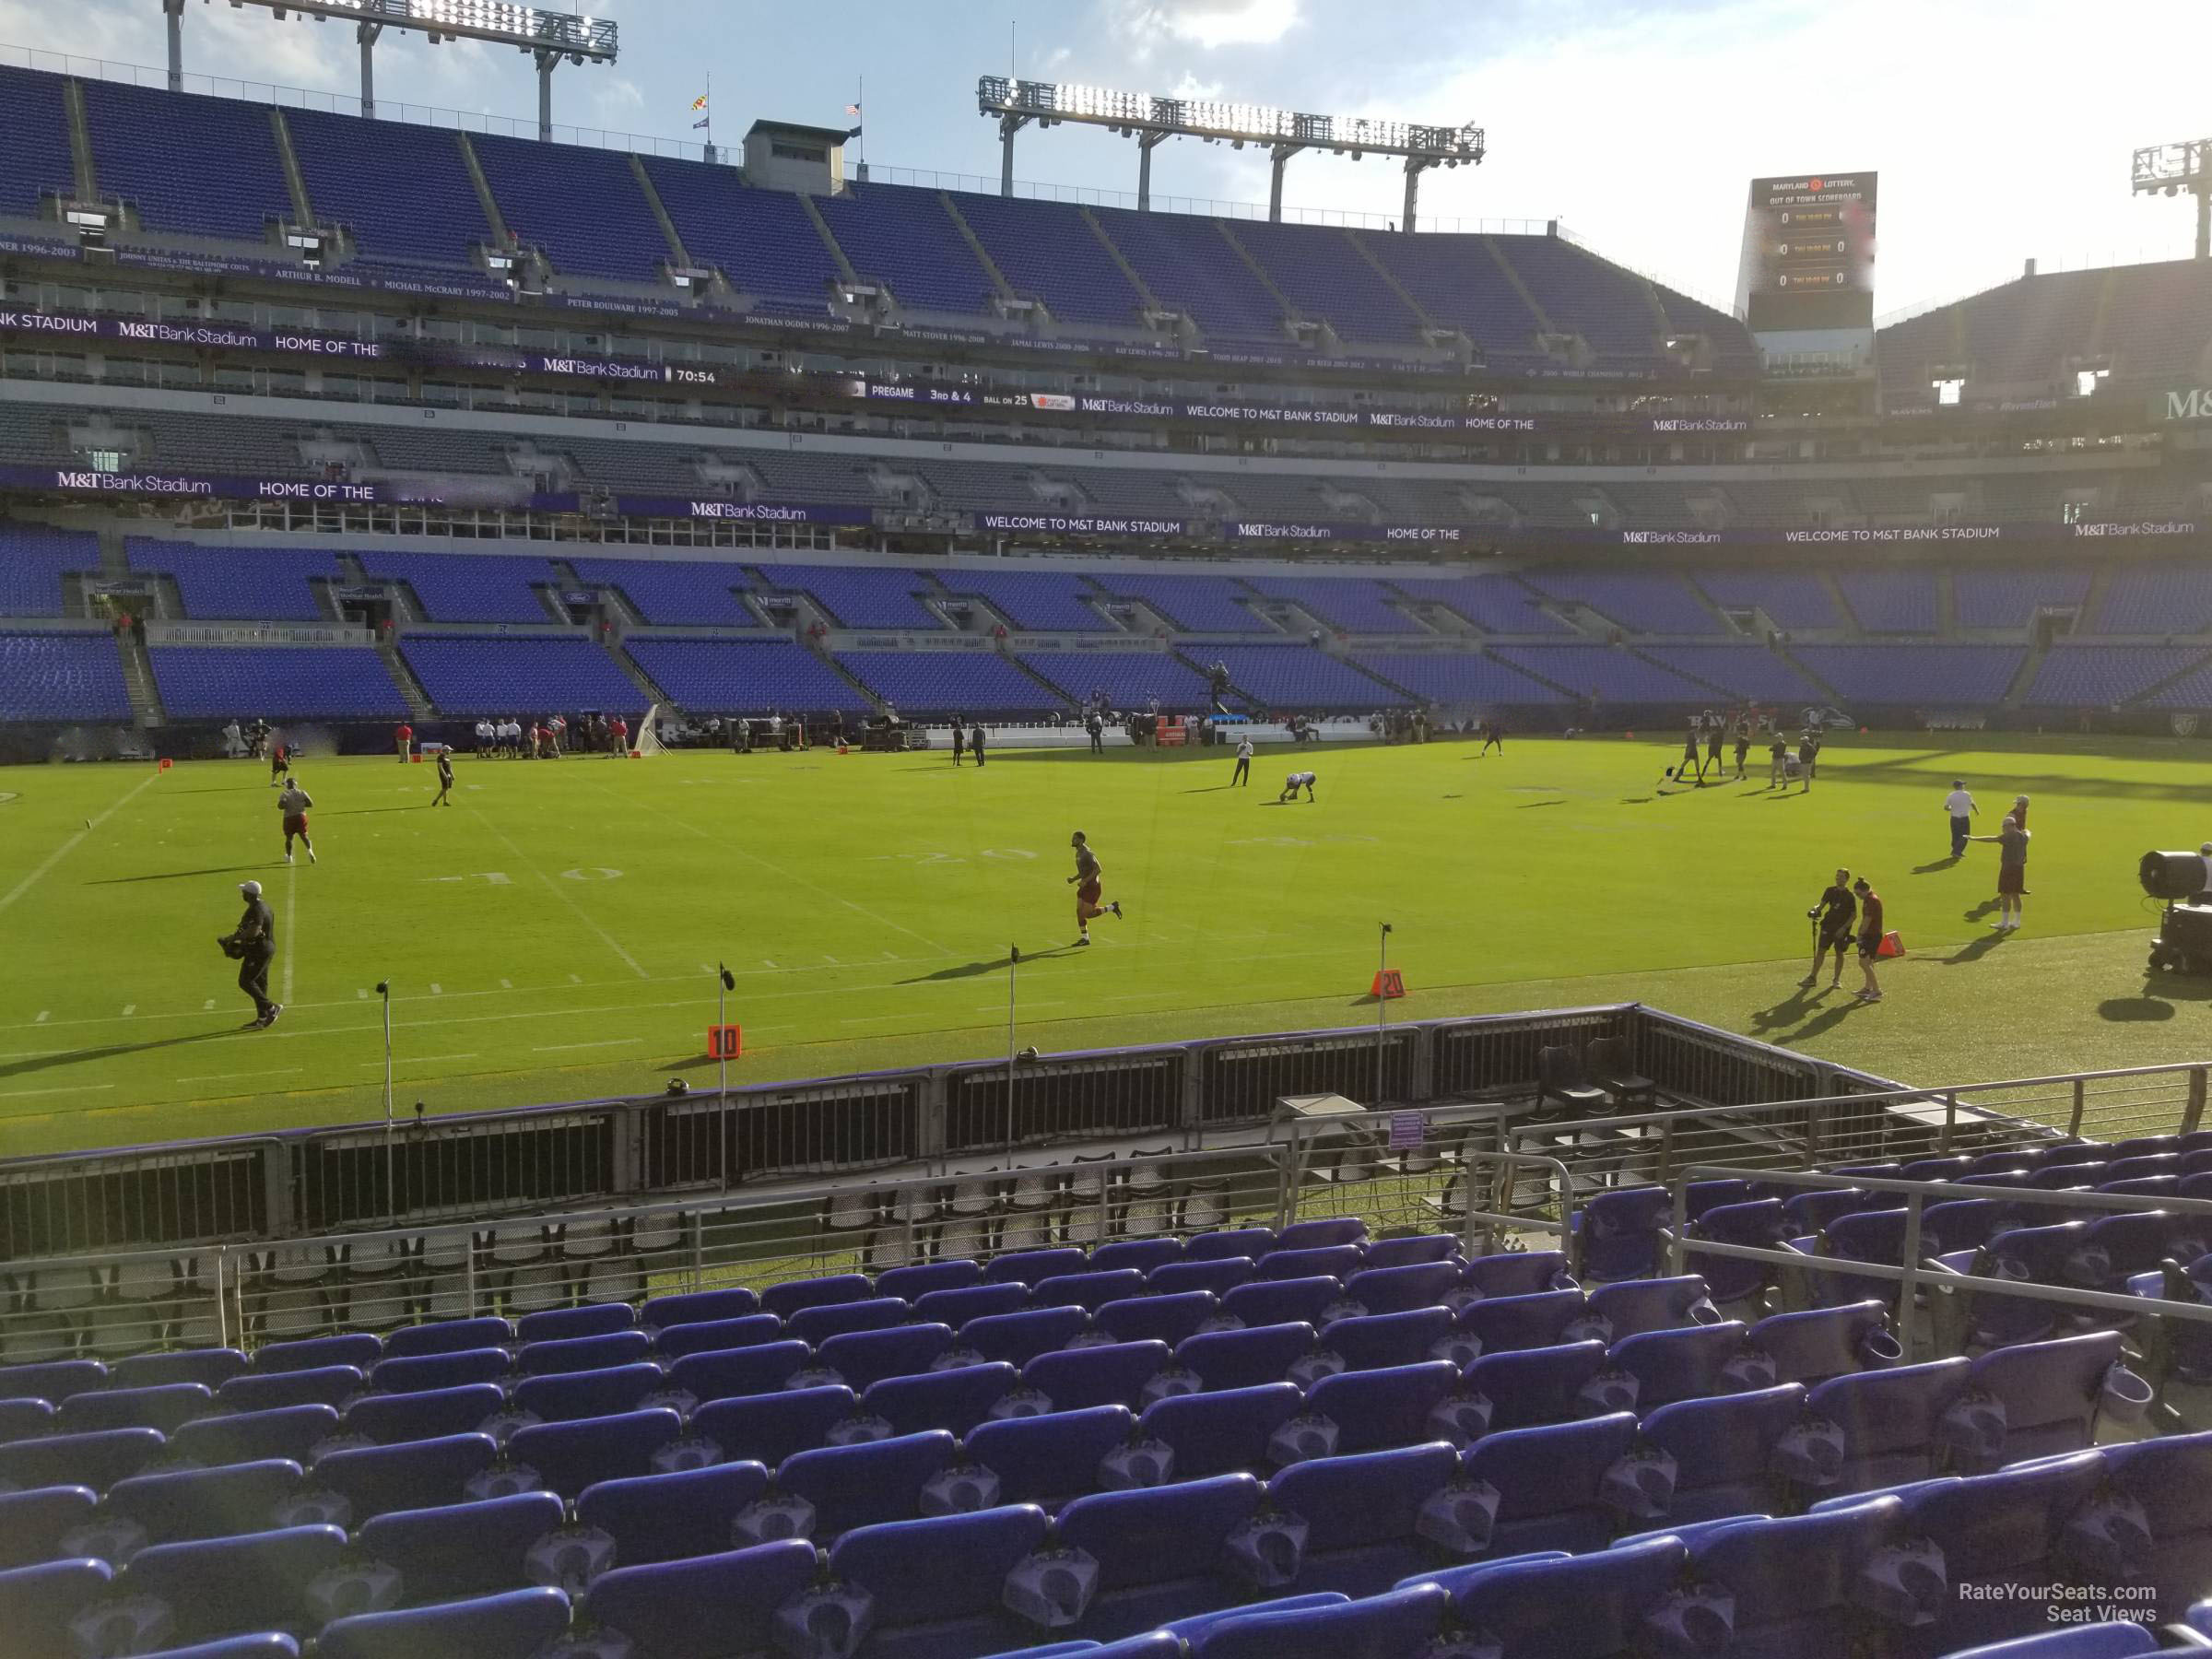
(213, 167)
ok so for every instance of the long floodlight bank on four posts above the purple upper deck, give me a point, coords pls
(1151, 121)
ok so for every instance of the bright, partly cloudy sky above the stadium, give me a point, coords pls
(2001, 129)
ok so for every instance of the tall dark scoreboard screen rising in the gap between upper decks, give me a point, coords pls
(1808, 253)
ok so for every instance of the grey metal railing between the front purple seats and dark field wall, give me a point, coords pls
(114, 1304)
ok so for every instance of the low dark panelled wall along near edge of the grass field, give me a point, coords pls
(919, 1123)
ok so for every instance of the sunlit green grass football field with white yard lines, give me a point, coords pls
(554, 935)
